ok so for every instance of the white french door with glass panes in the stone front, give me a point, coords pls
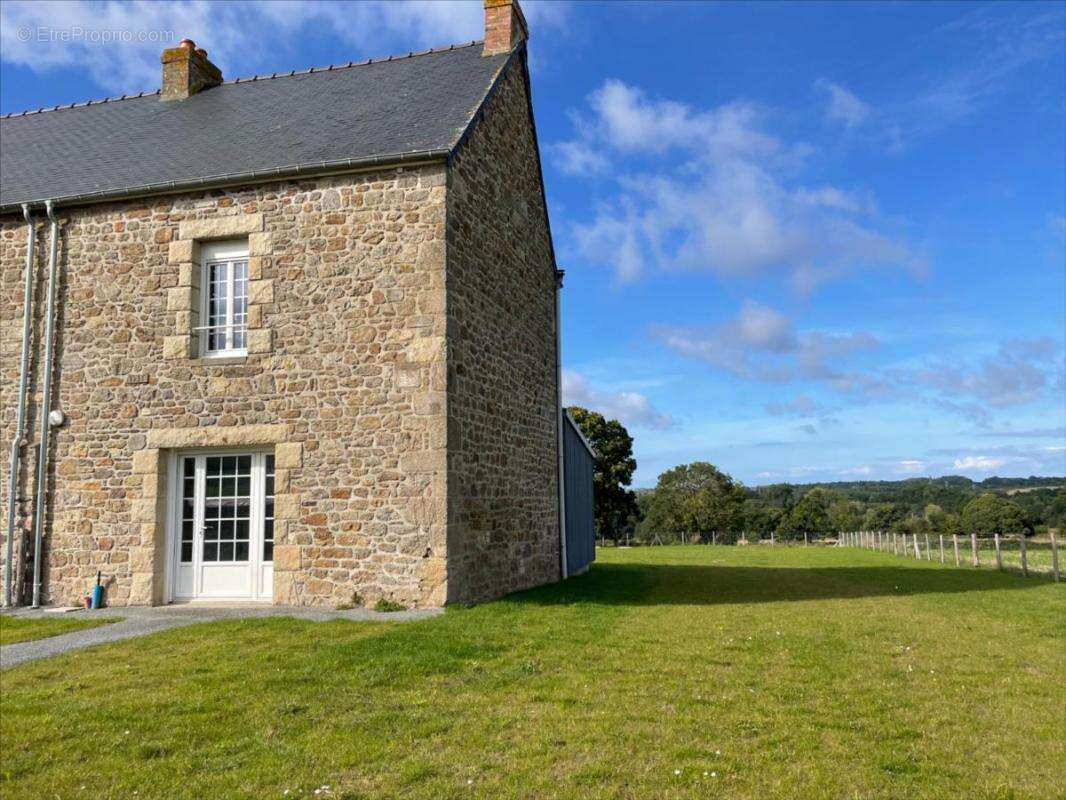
(223, 531)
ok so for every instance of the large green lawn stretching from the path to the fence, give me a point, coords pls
(668, 673)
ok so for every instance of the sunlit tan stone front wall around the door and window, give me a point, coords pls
(349, 386)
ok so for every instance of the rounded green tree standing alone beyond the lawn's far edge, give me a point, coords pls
(697, 499)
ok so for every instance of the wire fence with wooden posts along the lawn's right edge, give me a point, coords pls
(1008, 554)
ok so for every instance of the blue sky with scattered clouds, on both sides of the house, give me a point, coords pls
(802, 242)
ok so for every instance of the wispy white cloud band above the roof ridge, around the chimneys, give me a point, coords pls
(240, 37)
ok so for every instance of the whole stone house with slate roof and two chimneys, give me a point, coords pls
(292, 339)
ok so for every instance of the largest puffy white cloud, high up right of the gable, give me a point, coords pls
(720, 198)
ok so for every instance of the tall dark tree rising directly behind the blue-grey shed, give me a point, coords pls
(613, 472)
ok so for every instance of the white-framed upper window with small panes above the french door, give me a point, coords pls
(224, 299)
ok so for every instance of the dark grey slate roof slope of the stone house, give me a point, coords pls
(379, 111)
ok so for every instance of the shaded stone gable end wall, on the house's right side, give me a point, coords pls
(503, 470)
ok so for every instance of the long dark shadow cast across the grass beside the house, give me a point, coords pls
(654, 585)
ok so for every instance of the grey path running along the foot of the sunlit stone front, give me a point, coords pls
(136, 622)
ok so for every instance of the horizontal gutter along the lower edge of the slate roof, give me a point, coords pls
(318, 169)
